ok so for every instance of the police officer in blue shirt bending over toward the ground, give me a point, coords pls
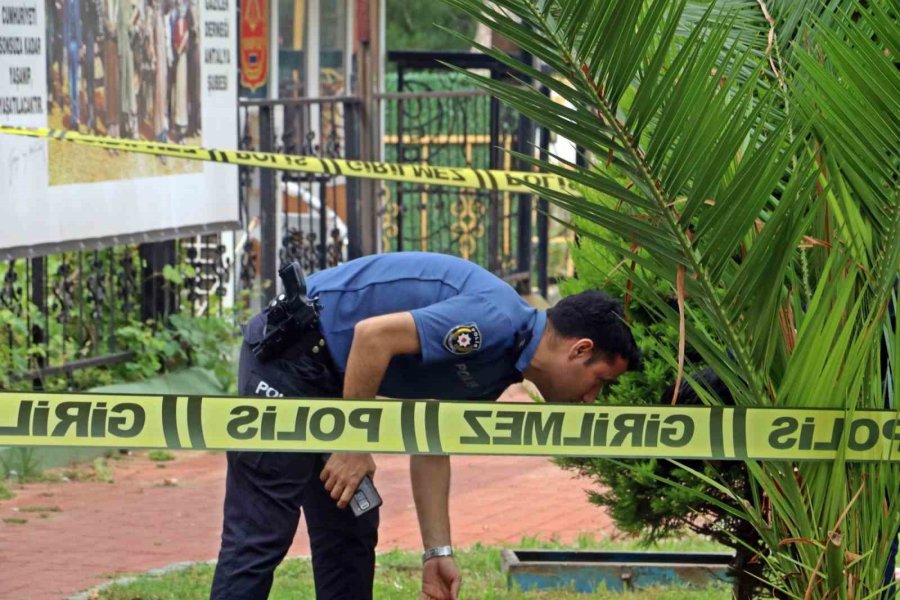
(402, 325)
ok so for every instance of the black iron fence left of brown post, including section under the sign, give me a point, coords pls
(64, 312)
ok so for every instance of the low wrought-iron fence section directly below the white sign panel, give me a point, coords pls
(62, 312)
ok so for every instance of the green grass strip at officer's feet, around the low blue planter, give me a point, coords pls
(398, 577)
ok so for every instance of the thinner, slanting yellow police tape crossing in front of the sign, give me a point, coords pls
(460, 177)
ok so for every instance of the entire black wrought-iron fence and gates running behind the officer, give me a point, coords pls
(63, 312)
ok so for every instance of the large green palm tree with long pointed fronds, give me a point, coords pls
(745, 152)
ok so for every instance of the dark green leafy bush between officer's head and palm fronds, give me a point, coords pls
(634, 496)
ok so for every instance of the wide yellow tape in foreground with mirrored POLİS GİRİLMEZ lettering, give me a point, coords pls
(446, 427)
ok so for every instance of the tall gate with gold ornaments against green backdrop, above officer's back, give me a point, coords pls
(452, 128)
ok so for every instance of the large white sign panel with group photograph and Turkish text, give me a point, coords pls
(141, 69)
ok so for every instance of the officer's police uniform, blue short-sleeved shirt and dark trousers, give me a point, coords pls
(477, 337)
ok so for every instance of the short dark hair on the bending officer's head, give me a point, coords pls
(599, 318)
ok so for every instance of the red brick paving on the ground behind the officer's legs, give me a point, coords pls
(138, 523)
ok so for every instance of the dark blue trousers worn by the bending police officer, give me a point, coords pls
(264, 494)
